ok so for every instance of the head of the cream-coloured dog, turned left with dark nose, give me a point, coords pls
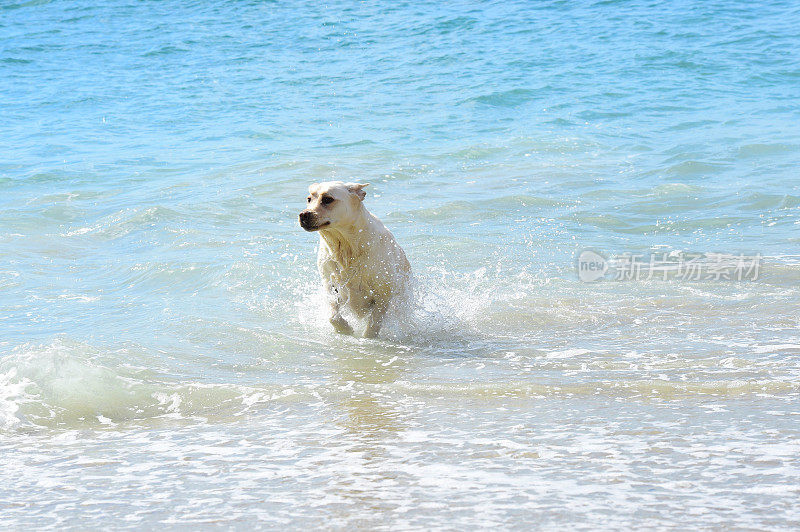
(331, 204)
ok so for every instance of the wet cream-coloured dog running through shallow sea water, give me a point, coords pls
(362, 266)
